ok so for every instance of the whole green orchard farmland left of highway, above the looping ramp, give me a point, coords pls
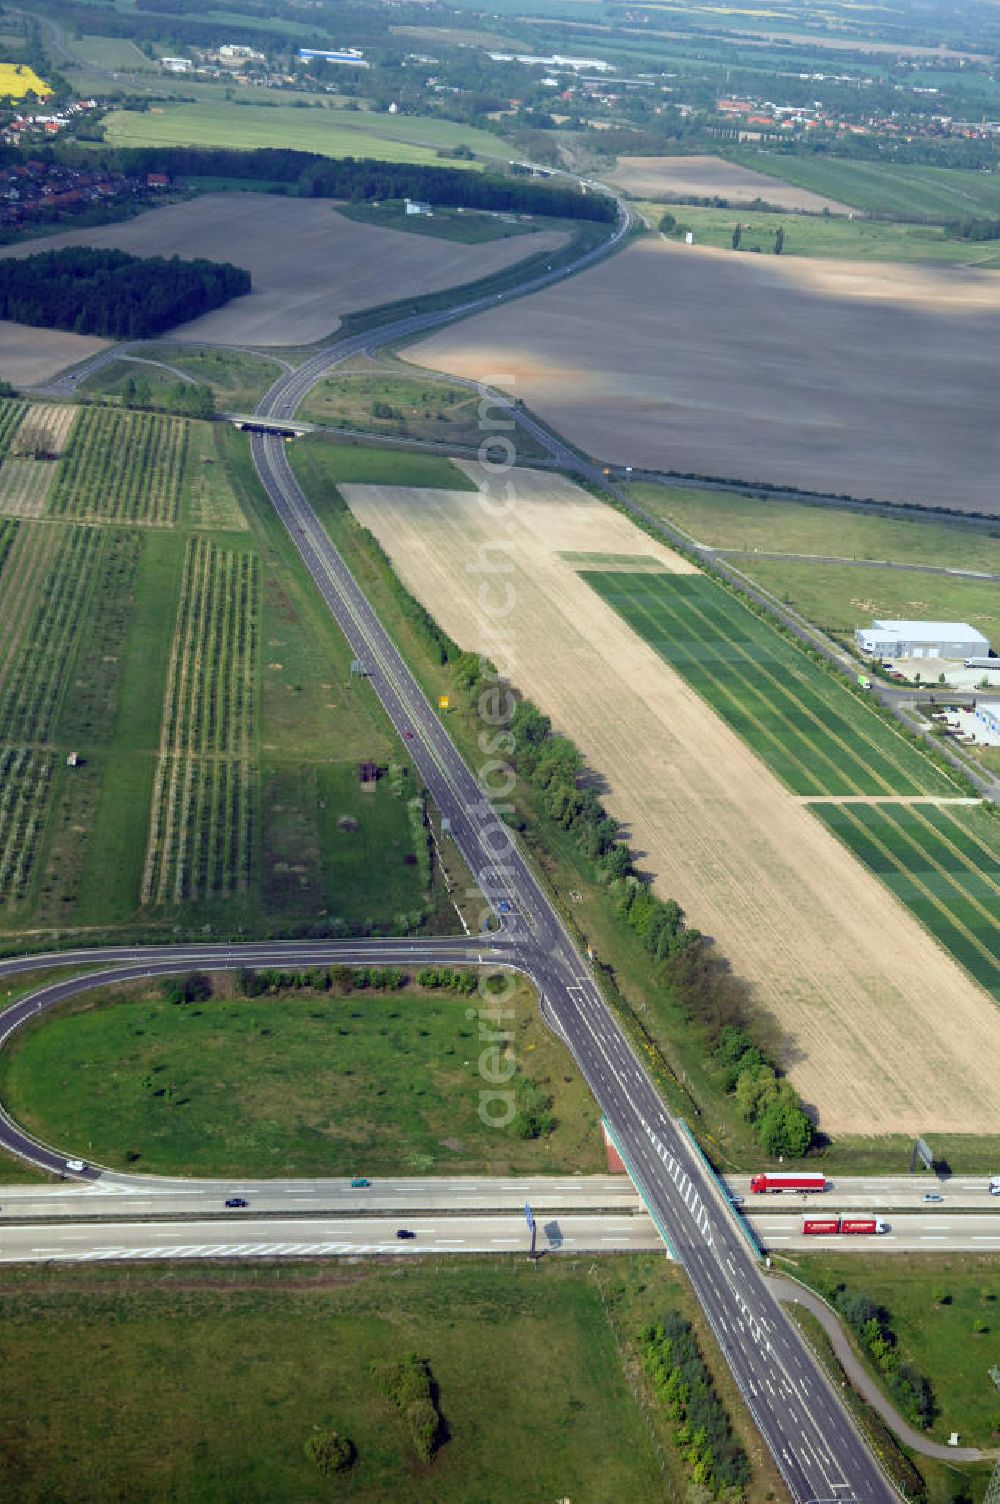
(258, 696)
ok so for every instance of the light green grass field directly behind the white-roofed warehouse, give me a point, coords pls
(844, 596)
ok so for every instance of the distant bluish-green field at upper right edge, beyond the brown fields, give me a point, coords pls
(936, 193)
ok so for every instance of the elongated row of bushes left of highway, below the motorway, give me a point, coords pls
(703, 1431)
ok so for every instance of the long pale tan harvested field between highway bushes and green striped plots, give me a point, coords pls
(849, 974)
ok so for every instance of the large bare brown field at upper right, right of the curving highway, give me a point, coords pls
(706, 368)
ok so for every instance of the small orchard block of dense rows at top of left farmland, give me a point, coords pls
(123, 467)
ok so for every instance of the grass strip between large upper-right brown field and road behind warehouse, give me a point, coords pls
(724, 520)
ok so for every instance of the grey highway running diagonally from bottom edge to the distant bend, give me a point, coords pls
(802, 1421)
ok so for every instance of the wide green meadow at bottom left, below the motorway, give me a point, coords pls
(205, 1381)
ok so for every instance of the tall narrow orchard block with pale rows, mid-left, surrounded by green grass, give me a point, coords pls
(204, 817)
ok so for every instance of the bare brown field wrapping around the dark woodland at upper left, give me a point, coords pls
(309, 264)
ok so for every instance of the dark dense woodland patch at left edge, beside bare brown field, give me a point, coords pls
(114, 294)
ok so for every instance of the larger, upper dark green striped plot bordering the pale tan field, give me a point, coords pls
(810, 729)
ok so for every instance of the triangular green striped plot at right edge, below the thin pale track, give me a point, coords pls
(944, 864)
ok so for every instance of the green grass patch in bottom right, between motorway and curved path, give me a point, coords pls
(938, 1338)
